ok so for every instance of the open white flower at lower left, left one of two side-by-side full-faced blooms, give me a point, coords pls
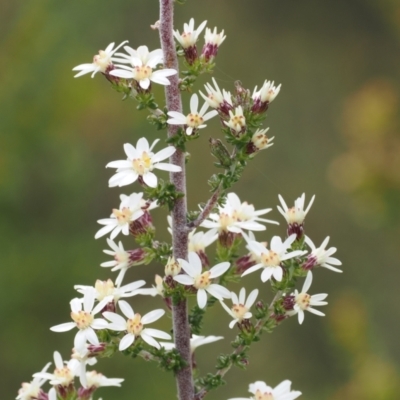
(84, 320)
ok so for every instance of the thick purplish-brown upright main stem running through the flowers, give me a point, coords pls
(179, 233)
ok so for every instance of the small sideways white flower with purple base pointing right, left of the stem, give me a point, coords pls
(123, 260)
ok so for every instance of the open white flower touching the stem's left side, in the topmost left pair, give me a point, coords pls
(142, 69)
